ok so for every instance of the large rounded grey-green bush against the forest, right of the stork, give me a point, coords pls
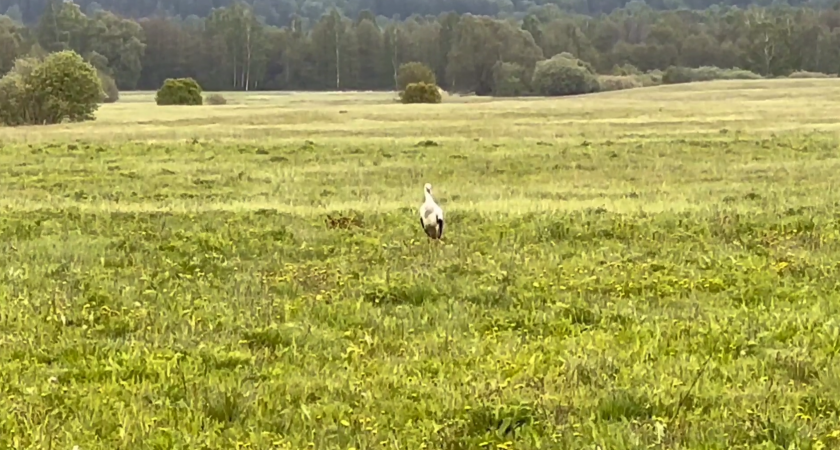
(564, 74)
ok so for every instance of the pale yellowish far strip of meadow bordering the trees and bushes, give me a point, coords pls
(661, 112)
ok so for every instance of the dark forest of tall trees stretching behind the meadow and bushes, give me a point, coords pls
(359, 44)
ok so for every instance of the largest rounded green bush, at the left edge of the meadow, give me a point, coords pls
(41, 91)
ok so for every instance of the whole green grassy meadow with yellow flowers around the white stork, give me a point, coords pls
(652, 268)
